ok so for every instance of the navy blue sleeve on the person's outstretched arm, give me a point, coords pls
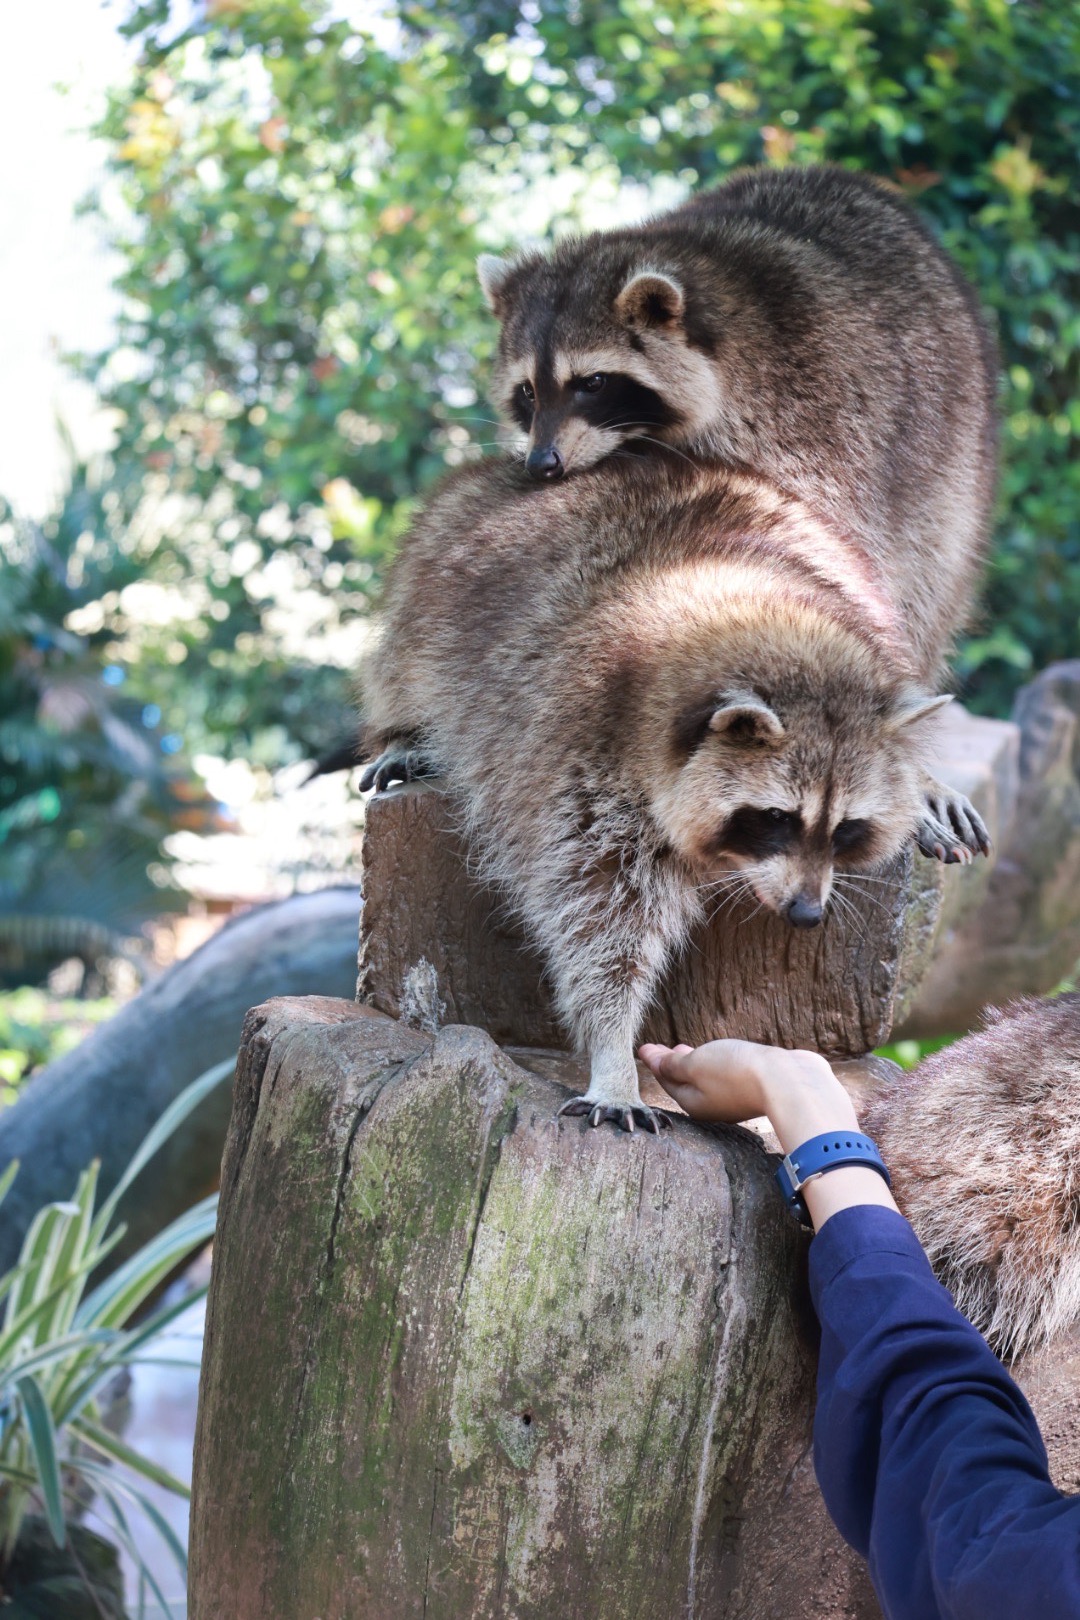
(927, 1452)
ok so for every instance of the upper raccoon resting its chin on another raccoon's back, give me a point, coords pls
(797, 323)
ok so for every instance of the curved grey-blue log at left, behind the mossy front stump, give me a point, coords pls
(100, 1101)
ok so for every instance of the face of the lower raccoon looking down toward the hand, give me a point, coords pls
(789, 811)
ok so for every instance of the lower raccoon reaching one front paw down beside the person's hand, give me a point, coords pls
(648, 684)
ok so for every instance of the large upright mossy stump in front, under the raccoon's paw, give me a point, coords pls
(466, 1362)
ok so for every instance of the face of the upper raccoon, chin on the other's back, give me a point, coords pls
(592, 359)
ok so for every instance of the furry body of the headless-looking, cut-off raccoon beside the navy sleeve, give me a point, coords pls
(984, 1143)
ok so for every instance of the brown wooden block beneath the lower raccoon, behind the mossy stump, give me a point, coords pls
(438, 947)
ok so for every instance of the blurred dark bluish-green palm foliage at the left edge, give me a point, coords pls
(90, 782)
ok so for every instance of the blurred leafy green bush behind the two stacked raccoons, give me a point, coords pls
(304, 344)
